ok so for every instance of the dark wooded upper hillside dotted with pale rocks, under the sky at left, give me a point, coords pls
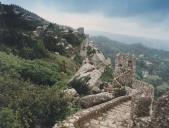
(27, 34)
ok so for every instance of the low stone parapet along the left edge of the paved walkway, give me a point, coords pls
(75, 120)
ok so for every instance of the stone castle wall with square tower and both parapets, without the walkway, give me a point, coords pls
(141, 99)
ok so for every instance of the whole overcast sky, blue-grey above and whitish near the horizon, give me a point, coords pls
(145, 18)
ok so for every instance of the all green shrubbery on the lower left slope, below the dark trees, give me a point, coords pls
(26, 96)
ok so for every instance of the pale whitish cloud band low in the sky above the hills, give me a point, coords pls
(99, 22)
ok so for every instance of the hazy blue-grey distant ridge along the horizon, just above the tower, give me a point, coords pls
(112, 46)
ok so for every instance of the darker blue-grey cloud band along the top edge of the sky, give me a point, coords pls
(119, 8)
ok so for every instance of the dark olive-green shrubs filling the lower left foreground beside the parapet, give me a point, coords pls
(27, 105)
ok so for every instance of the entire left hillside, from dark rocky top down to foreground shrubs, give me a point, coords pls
(36, 62)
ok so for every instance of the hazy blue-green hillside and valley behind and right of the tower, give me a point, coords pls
(152, 64)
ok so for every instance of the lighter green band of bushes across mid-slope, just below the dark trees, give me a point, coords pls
(40, 71)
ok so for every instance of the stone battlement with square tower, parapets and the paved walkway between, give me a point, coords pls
(139, 103)
